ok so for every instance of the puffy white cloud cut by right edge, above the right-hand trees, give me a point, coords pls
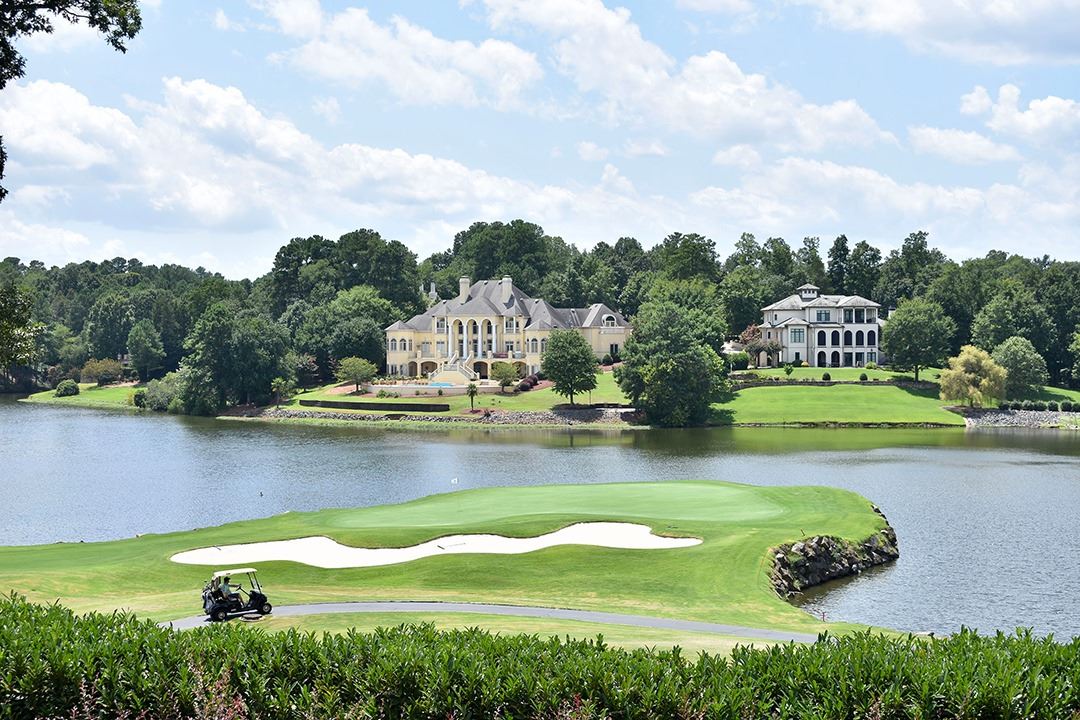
(1047, 121)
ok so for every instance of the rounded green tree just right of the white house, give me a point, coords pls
(917, 335)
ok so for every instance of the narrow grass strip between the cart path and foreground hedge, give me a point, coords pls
(622, 636)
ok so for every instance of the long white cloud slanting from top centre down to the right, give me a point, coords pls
(605, 55)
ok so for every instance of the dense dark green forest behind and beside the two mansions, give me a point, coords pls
(225, 342)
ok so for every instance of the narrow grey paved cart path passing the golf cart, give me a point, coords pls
(521, 612)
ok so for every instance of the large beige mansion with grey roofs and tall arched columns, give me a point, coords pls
(493, 321)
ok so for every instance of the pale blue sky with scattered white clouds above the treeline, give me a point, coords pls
(229, 128)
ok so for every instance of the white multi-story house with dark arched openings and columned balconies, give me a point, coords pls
(822, 331)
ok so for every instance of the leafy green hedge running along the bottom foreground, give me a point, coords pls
(57, 664)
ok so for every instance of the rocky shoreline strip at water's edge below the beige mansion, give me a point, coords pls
(568, 417)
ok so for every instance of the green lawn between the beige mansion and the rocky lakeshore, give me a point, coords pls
(607, 391)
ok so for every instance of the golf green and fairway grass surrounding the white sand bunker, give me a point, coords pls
(724, 580)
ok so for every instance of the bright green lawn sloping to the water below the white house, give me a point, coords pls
(835, 404)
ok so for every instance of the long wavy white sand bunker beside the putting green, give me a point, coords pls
(326, 553)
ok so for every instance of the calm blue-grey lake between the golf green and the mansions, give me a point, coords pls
(988, 521)
